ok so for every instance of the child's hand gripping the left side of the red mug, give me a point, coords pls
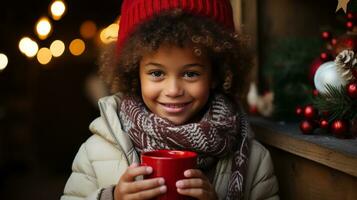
(129, 189)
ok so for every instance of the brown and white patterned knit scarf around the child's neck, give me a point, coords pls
(222, 131)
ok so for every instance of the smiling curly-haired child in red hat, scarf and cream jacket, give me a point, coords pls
(178, 71)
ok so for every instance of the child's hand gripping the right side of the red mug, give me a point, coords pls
(196, 185)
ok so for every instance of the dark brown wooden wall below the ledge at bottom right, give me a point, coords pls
(303, 179)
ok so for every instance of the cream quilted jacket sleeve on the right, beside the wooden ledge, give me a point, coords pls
(264, 184)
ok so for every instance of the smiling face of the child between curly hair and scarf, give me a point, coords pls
(175, 83)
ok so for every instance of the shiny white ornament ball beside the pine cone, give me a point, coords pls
(327, 74)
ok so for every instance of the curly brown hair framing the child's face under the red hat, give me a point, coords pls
(227, 50)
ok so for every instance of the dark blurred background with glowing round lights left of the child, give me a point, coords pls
(48, 89)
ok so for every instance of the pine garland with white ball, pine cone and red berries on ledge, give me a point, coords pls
(334, 106)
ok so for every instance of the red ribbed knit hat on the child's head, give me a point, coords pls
(134, 12)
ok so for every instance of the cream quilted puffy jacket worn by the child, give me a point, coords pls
(104, 157)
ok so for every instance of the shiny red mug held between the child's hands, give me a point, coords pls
(169, 164)
